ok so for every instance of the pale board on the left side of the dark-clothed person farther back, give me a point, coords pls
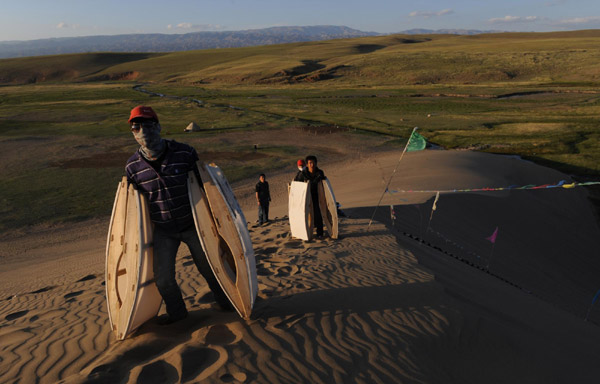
(299, 211)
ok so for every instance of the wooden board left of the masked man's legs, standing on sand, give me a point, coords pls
(131, 294)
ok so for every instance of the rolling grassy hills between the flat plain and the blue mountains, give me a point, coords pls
(558, 57)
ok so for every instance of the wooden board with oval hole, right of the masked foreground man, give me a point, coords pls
(222, 230)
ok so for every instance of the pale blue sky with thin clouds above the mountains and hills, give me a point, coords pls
(39, 19)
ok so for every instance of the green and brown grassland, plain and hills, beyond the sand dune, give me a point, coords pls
(64, 137)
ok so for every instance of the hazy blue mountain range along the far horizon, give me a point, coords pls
(191, 41)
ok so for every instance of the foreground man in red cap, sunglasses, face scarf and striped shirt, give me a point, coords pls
(159, 170)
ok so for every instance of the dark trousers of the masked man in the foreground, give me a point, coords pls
(166, 245)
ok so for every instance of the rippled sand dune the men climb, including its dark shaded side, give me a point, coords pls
(409, 301)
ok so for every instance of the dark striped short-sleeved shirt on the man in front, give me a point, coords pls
(165, 187)
